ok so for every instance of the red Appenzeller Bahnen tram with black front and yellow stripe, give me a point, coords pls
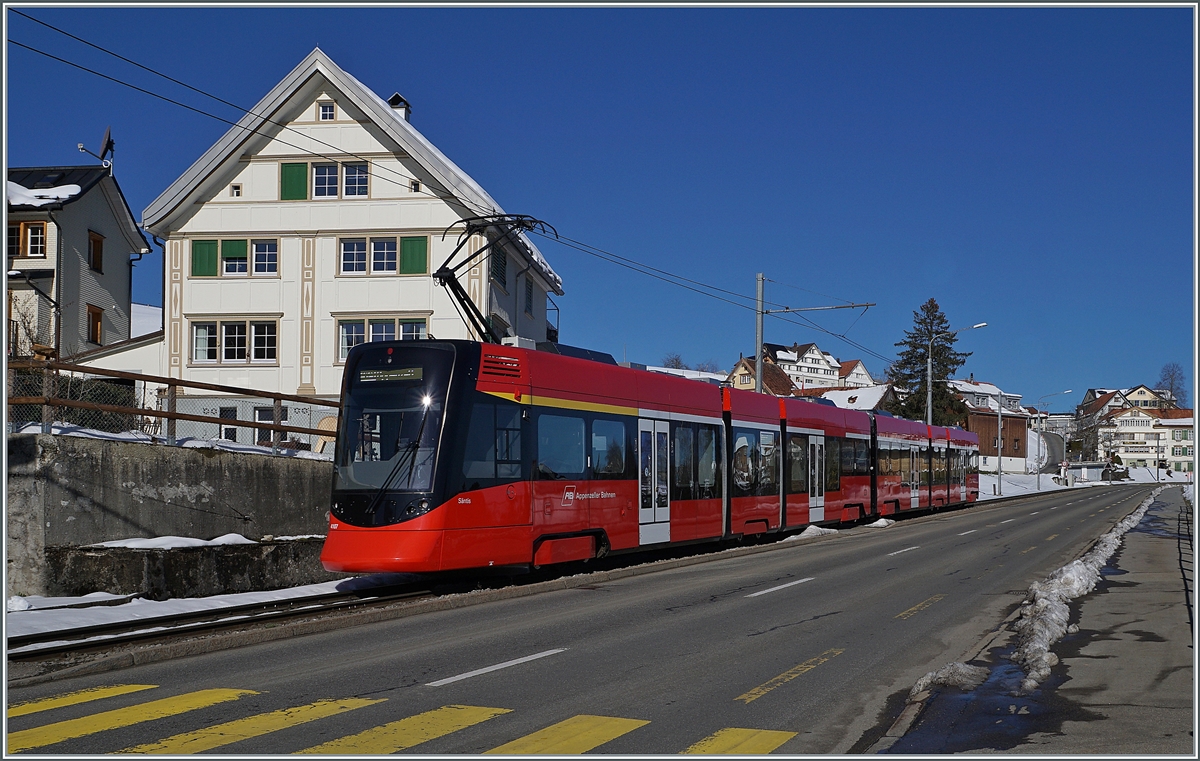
(459, 456)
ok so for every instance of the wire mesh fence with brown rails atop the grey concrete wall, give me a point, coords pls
(57, 398)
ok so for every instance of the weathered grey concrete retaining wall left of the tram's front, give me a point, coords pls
(67, 490)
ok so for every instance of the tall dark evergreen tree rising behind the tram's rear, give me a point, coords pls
(910, 370)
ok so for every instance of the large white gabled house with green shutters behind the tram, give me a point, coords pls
(315, 225)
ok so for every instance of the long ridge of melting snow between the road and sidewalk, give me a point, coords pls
(1045, 615)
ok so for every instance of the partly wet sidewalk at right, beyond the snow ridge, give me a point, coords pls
(1125, 682)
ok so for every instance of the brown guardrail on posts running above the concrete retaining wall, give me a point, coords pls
(50, 392)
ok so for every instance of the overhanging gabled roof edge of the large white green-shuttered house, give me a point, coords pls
(311, 75)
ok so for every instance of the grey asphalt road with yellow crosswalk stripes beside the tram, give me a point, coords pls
(793, 651)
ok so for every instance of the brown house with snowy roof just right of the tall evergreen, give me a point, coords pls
(989, 411)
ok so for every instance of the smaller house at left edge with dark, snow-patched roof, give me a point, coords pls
(73, 242)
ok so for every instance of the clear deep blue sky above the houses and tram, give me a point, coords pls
(1031, 169)
